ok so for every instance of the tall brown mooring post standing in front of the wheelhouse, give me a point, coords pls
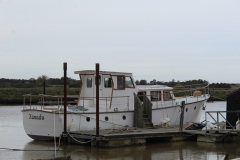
(97, 104)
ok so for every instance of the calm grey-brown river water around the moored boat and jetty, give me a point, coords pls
(15, 144)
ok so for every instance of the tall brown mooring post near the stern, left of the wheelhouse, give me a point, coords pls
(65, 102)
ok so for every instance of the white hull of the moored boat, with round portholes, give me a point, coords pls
(41, 127)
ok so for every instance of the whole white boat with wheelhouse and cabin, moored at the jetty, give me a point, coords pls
(117, 106)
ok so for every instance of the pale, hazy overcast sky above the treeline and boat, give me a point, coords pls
(153, 39)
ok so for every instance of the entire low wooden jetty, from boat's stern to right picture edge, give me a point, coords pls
(139, 136)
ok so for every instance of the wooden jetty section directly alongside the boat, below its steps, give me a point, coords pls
(125, 137)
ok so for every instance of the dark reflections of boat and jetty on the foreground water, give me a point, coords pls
(153, 151)
